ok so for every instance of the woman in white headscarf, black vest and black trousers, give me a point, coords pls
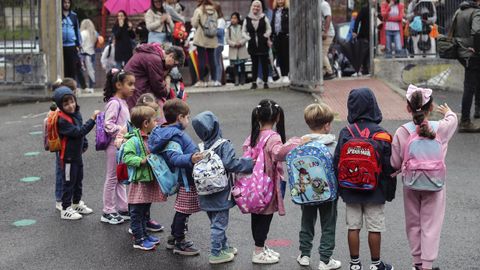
(256, 29)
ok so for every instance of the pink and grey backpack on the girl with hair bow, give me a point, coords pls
(423, 165)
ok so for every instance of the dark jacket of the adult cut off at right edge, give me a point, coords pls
(467, 29)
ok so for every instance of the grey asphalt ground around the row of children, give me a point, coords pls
(52, 243)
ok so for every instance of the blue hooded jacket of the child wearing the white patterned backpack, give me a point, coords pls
(207, 127)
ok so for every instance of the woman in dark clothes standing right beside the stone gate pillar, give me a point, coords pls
(280, 36)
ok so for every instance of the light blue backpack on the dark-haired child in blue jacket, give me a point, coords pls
(167, 179)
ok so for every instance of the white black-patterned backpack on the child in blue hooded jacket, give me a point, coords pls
(209, 173)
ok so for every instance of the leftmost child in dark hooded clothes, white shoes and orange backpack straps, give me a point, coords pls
(74, 143)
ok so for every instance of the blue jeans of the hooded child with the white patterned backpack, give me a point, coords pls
(218, 227)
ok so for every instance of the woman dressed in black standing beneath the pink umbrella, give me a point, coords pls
(123, 34)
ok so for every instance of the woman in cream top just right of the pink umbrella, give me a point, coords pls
(159, 23)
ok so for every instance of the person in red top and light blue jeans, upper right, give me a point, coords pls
(392, 13)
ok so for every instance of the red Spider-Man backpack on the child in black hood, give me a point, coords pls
(358, 166)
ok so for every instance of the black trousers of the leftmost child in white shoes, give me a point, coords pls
(72, 183)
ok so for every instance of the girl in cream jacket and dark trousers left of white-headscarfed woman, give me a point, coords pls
(237, 48)
